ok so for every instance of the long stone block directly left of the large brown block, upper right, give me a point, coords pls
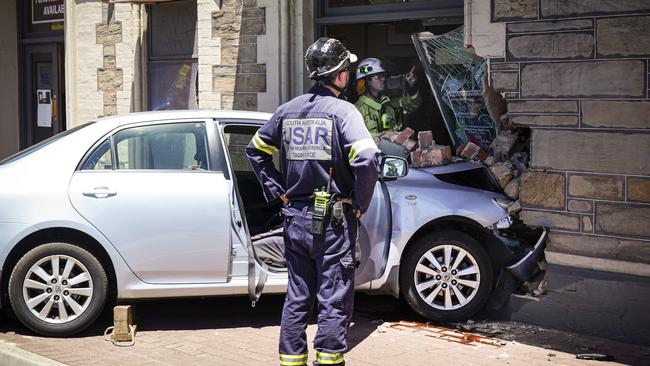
(555, 46)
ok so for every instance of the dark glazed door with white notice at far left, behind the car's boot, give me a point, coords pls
(43, 93)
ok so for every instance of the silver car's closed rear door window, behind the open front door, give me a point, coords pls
(174, 146)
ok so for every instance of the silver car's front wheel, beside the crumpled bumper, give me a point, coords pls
(446, 276)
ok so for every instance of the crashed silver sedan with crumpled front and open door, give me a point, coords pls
(164, 204)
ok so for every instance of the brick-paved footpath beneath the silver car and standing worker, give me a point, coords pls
(229, 332)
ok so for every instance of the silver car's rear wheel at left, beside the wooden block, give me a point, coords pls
(58, 289)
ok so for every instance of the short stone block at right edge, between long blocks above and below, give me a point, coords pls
(616, 113)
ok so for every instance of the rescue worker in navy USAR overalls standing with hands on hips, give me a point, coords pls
(323, 142)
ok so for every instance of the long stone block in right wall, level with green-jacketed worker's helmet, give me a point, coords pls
(621, 78)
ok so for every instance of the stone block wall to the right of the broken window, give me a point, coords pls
(577, 73)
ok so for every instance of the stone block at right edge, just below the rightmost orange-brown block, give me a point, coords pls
(622, 219)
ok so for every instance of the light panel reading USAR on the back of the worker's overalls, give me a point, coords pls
(308, 138)
